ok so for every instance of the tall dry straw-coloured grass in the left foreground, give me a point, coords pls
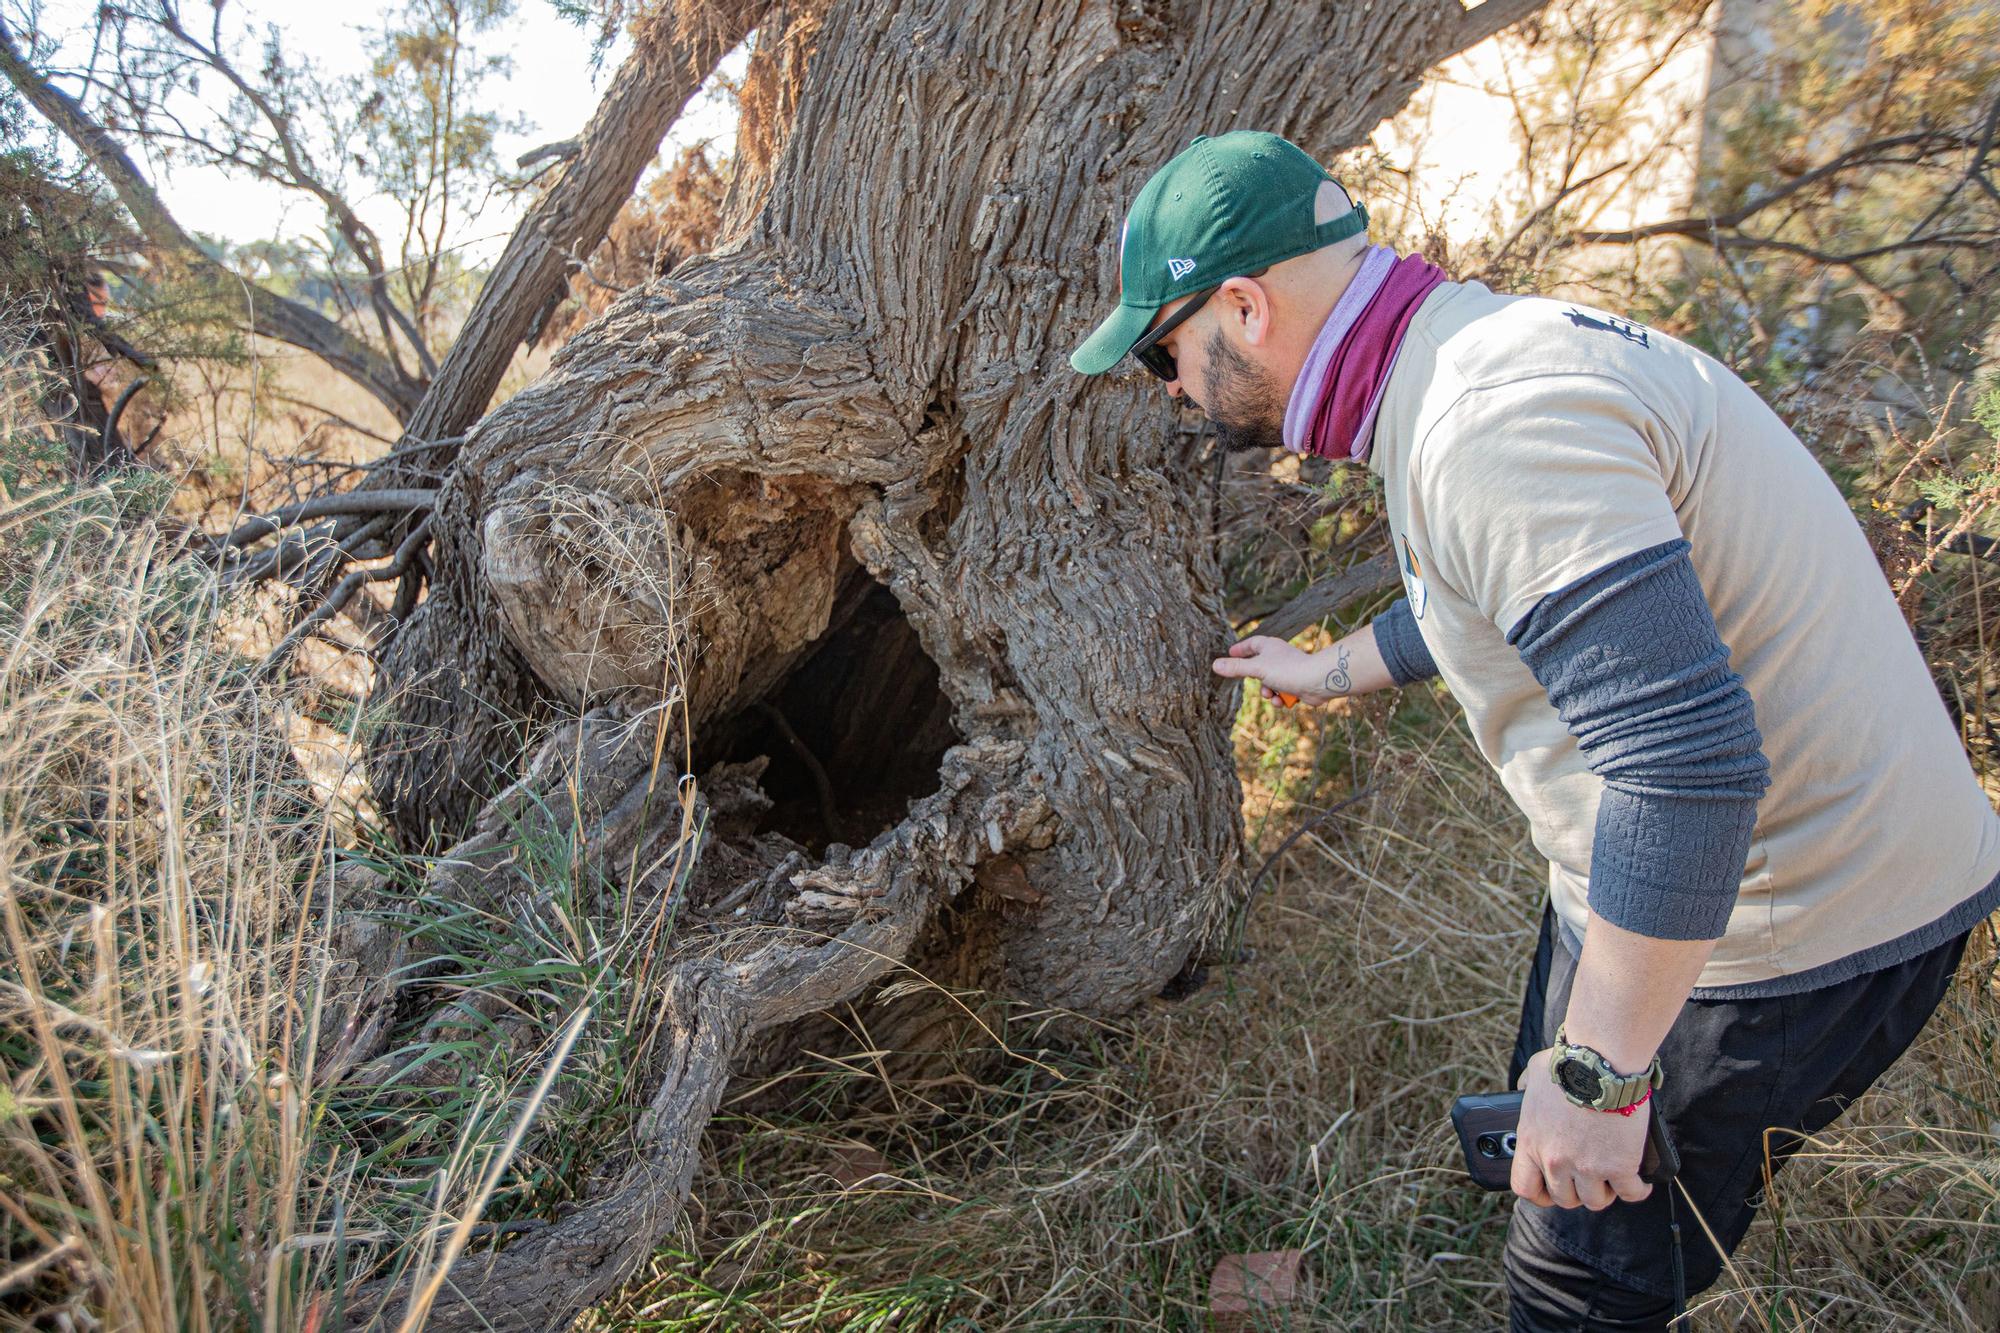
(169, 1158)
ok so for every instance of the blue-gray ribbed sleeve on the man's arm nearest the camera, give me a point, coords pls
(1635, 668)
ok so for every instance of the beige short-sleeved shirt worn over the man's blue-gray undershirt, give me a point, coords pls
(1525, 443)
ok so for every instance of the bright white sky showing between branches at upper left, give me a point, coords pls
(553, 87)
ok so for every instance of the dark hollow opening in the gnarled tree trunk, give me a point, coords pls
(855, 732)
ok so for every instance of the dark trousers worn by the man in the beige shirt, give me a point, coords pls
(1745, 1082)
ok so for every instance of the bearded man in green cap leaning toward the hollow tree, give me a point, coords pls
(1669, 635)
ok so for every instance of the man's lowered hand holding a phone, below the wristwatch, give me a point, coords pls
(1569, 1156)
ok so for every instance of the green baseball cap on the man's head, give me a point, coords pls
(1225, 207)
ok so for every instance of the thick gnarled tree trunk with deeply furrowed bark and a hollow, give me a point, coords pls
(961, 597)
